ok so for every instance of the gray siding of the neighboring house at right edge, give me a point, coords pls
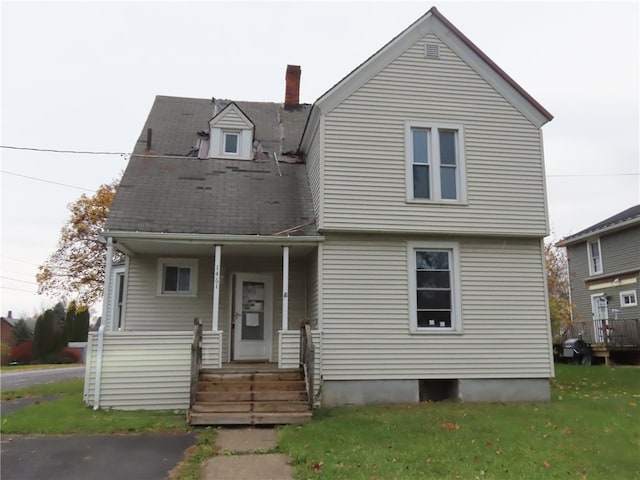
(620, 253)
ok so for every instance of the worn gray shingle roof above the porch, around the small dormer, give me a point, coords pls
(213, 196)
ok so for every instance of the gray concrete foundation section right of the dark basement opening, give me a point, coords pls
(504, 390)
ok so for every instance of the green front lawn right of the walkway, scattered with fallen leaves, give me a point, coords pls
(590, 430)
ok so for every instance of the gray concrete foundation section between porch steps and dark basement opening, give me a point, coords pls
(360, 392)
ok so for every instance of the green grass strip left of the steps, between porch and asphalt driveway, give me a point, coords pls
(68, 414)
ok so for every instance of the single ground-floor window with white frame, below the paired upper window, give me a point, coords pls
(434, 290)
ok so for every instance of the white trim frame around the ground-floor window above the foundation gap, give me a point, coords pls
(456, 304)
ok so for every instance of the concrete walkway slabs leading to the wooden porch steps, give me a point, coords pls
(243, 455)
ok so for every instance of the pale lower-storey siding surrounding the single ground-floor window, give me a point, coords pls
(366, 328)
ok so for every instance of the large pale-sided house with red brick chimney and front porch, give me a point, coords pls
(402, 216)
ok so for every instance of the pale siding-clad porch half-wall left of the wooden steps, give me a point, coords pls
(150, 371)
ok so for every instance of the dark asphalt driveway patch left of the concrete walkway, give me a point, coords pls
(98, 457)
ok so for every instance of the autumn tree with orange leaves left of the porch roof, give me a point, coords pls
(76, 269)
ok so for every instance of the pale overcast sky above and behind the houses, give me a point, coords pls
(83, 76)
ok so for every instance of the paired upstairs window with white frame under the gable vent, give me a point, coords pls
(435, 162)
